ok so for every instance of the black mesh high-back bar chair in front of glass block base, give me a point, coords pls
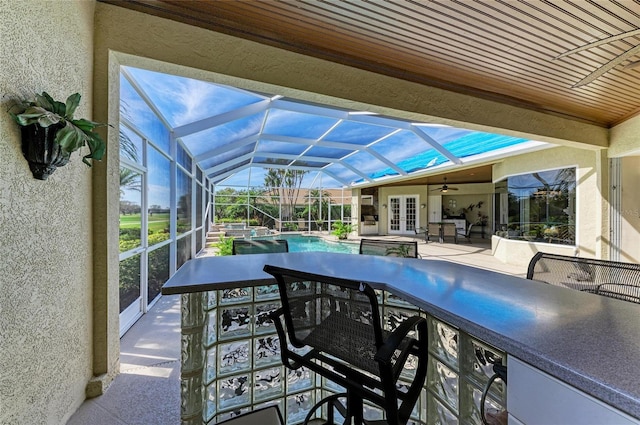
(338, 324)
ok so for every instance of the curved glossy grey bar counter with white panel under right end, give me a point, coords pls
(573, 357)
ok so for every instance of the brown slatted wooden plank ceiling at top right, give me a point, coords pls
(505, 50)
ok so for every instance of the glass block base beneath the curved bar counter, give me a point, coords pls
(231, 363)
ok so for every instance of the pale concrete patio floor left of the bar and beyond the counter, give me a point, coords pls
(147, 390)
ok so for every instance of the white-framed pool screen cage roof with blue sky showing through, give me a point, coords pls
(235, 136)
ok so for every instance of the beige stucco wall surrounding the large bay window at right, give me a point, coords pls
(591, 215)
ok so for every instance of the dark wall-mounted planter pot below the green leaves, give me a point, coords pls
(41, 151)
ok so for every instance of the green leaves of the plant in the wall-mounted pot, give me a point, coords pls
(73, 134)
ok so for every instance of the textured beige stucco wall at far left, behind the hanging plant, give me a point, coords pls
(45, 227)
